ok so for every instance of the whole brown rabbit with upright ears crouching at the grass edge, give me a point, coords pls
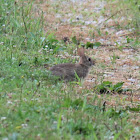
(68, 71)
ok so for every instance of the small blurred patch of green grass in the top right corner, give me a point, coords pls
(128, 9)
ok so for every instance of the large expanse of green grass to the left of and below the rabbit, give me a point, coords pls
(32, 104)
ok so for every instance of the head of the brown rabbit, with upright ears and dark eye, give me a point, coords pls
(85, 60)
